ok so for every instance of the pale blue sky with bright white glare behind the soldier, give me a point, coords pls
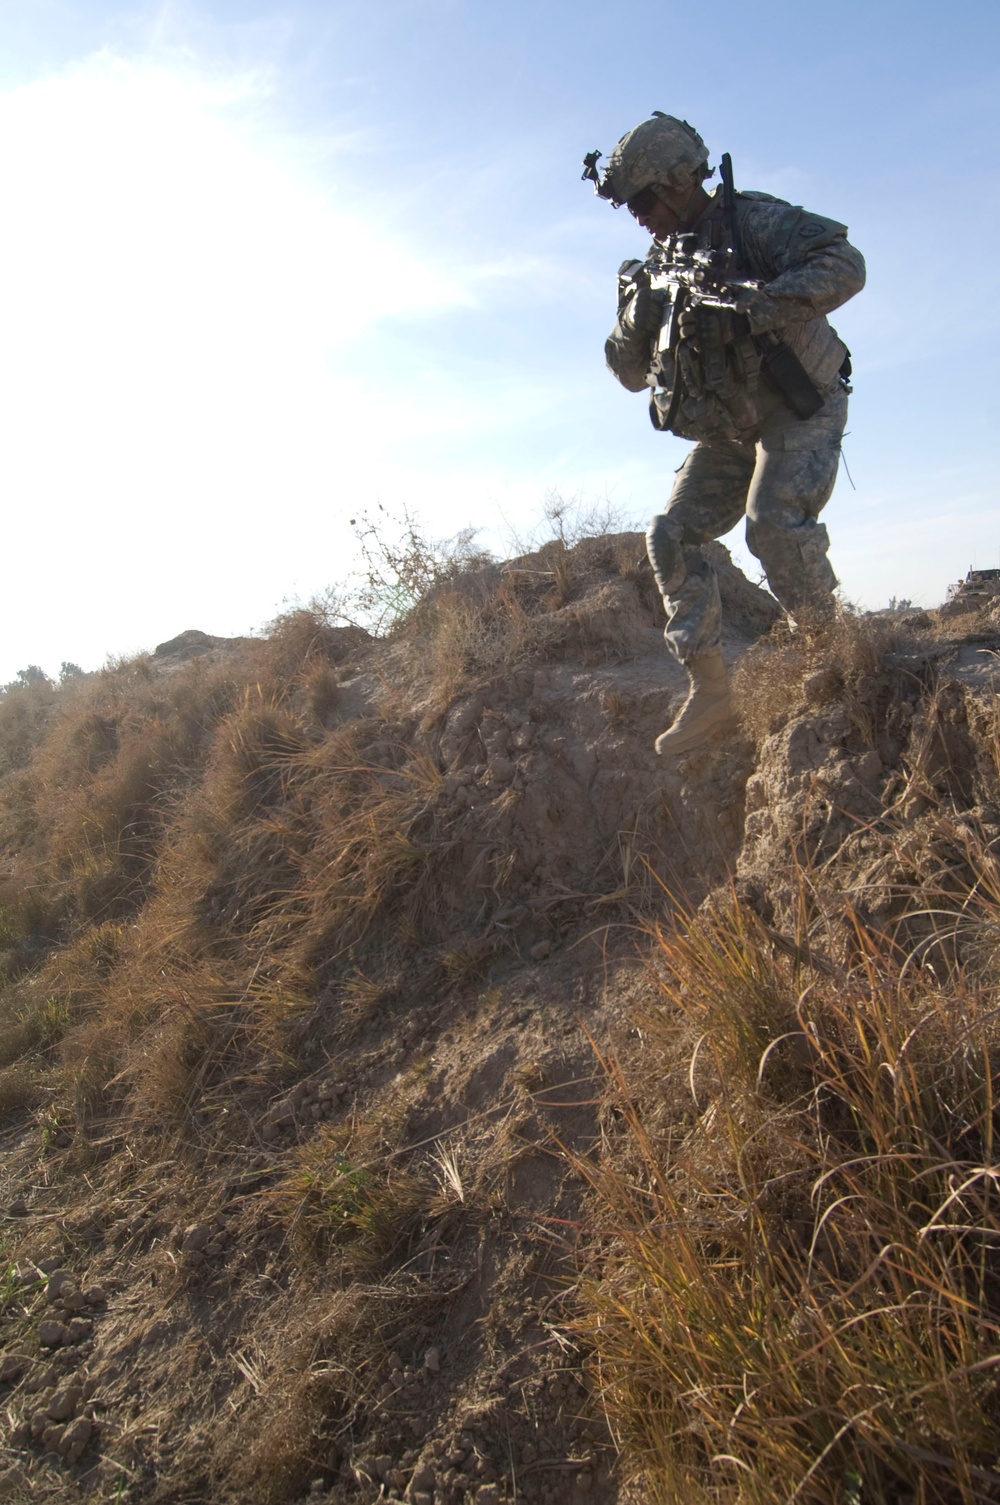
(269, 264)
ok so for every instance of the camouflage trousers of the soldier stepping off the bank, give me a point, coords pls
(781, 482)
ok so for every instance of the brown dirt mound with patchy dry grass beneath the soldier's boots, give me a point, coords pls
(326, 929)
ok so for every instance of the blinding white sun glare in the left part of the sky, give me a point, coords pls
(180, 305)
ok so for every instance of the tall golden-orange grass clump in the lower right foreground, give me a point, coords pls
(794, 1294)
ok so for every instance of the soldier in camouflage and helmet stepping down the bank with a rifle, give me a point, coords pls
(752, 372)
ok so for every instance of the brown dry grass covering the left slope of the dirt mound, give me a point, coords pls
(200, 881)
